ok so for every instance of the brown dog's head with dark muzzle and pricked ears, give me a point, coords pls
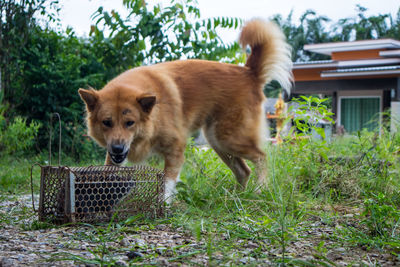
(116, 117)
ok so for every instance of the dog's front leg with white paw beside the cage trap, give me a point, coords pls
(172, 169)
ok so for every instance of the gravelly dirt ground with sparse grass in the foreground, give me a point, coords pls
(162, 245)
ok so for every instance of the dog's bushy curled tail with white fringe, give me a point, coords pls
(270, 57)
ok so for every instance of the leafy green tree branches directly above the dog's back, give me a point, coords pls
(161, 34)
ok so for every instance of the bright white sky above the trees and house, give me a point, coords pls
(76, 13)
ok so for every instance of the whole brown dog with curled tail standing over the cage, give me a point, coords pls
(153, 109)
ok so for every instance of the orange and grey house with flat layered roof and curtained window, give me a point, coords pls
(362, 77)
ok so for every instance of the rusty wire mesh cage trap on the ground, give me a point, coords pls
(99, 193)
